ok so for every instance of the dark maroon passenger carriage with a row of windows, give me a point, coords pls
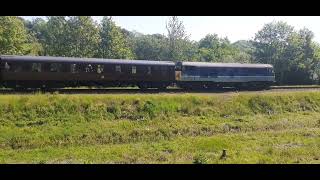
(54, 72)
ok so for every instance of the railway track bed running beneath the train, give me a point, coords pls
(156, 91)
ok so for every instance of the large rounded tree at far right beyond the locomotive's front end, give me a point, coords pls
(291, 52)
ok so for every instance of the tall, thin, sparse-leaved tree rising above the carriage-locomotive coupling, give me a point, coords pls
(177, 38)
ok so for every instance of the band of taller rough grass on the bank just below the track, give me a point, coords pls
(136, 107)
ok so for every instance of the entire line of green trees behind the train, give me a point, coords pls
(294, 54)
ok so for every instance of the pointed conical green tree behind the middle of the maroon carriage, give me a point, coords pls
(113, 42)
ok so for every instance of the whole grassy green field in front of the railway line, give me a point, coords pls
(281, 127)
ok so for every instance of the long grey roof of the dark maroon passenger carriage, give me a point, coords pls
(83, 60)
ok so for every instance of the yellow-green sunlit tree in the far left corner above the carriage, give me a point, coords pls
(14, 37)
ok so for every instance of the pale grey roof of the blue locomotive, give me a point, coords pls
(207, 64)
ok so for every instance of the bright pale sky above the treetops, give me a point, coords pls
(234, 27)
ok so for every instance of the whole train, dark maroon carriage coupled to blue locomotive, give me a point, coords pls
(47, 72)
